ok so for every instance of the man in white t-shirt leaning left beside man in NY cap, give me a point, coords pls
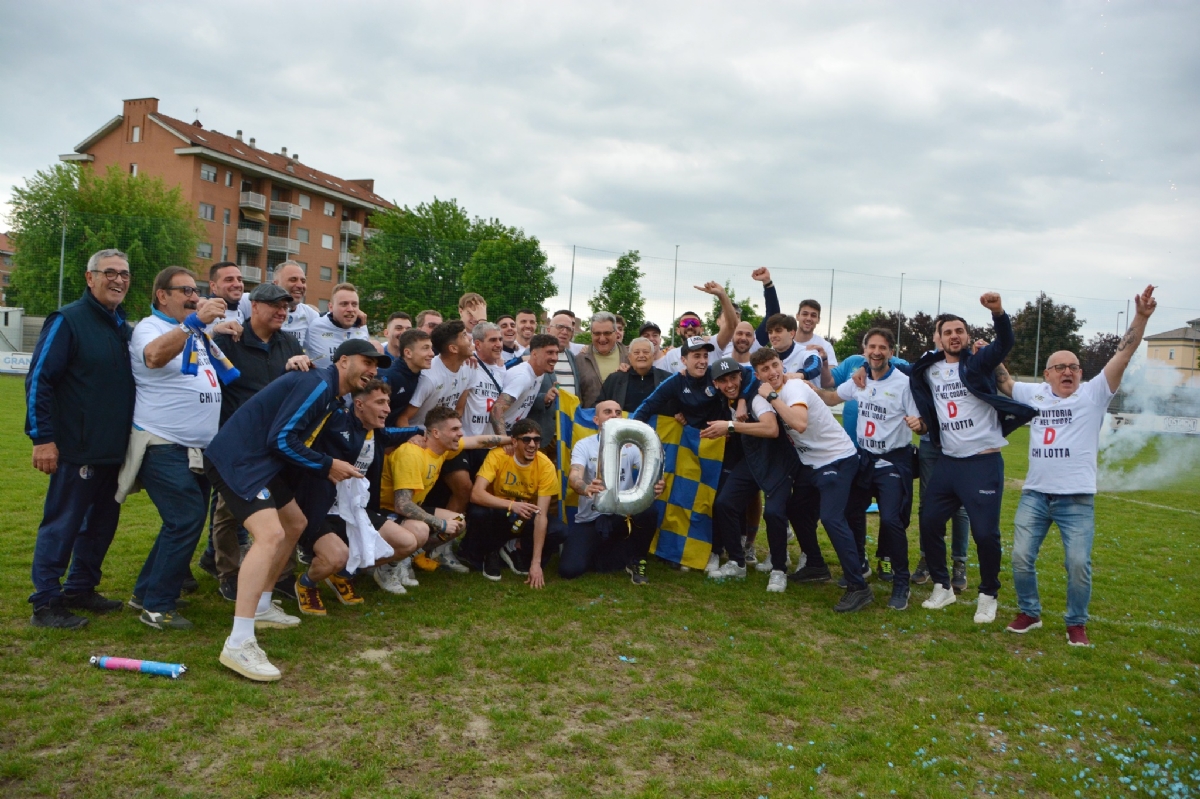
(829, 465)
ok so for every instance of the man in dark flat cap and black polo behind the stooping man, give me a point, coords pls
(262, 355)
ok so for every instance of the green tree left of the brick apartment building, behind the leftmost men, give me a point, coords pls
(141, 217)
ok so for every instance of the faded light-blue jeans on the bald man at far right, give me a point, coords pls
(1076, 518)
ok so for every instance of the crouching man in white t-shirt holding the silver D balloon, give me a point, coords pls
(607, 543)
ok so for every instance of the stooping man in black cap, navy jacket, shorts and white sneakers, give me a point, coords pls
(255, 462)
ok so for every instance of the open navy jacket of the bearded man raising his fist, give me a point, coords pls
(979, 374)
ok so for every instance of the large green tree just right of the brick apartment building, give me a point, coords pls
(430, 256)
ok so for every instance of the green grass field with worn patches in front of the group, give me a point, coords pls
(683, 688)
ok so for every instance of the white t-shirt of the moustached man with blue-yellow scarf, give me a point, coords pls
(184, 410)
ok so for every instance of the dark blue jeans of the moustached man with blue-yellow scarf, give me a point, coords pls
(183, 501)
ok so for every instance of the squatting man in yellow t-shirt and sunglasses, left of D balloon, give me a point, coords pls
(511, 501)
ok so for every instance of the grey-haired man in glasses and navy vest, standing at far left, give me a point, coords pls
(80, 399)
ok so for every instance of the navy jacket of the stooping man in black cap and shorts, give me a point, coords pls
(273, 430)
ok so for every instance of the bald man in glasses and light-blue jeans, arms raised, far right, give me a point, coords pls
(1060, 486)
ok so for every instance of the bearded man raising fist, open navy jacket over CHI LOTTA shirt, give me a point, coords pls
(956, 392)
